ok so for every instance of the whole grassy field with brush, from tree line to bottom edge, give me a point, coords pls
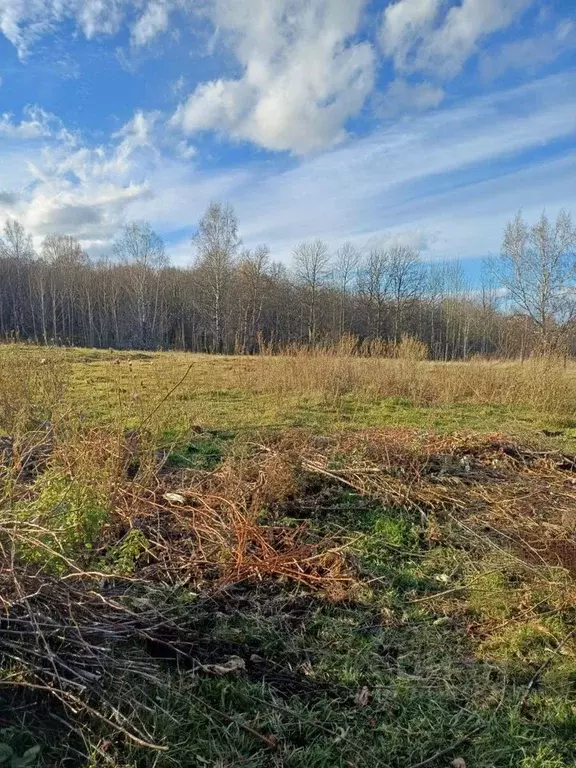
(308, 560)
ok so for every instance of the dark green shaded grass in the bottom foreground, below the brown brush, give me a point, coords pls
(427, 683)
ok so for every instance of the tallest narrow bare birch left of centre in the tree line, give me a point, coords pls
(217, 243)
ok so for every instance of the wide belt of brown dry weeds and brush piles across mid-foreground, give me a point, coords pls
(74, 622)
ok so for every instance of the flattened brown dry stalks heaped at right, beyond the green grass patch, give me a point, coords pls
(518, 496)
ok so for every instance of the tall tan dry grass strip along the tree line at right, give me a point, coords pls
(540, 383)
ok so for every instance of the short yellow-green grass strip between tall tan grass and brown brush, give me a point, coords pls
(107, 387)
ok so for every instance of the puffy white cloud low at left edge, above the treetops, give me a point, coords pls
(80, 190)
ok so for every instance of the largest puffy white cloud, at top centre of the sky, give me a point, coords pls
(302, 76)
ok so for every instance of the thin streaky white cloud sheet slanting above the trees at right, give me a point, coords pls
(424, 175)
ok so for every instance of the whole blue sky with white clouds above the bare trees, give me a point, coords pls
(423, 122)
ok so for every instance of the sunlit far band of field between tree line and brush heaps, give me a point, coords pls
(321, 390)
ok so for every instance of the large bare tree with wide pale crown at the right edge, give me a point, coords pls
(537, 268)
